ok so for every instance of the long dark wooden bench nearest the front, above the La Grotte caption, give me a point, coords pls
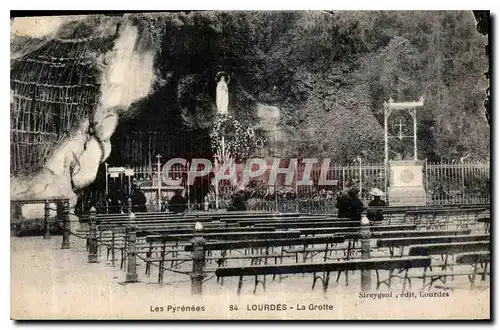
(326, 268)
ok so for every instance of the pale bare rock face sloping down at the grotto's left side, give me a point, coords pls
(126, 77)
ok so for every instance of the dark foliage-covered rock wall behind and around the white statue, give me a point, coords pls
(329, 73)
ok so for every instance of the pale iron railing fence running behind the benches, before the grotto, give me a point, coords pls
(445, 183)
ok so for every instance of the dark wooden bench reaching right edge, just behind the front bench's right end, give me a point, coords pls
(445, 250)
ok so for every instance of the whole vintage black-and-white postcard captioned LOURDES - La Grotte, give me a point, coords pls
(230, 165)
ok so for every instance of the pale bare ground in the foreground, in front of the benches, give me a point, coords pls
(47, 282)
